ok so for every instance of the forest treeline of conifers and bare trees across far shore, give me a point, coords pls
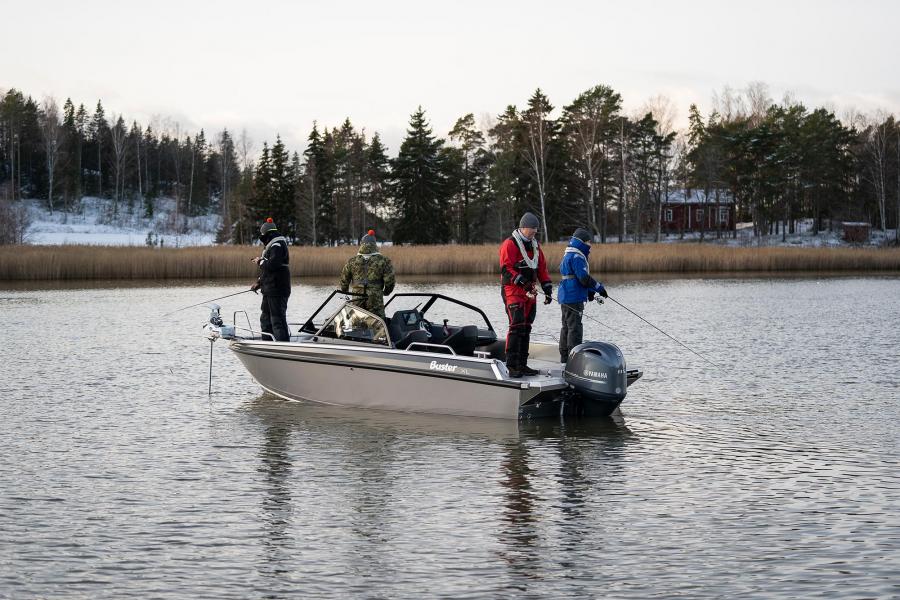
(585, 164)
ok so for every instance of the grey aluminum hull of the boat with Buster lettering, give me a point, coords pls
(364, 376)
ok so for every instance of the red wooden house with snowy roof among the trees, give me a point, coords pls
(693, 210)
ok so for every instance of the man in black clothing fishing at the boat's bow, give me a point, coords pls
(274, 281)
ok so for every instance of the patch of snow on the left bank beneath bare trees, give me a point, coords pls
(95, 222)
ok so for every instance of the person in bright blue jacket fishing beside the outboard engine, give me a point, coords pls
(576, 288)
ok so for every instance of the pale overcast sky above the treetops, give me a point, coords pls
(276, 66)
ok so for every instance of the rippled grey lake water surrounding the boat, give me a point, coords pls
(776, 475)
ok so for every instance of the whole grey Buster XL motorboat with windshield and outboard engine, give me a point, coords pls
(417, 362)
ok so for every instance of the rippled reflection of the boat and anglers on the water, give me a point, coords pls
(372, 484)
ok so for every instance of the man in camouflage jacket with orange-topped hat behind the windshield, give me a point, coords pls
(370, 273)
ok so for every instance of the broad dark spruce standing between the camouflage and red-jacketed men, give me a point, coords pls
(420, 186)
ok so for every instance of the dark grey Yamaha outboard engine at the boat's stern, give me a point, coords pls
(596, 371)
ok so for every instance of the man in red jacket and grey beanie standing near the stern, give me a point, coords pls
(522, 269)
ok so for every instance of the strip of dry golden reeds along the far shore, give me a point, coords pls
(93, 262)
